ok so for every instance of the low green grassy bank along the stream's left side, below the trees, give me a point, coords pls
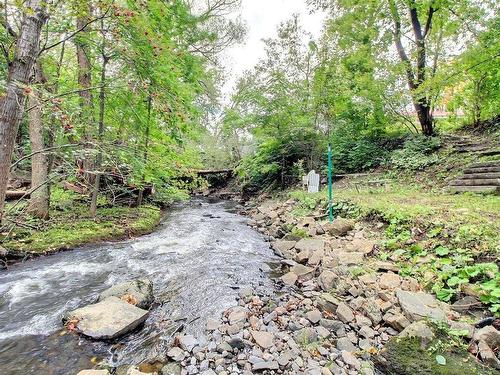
(73, 227)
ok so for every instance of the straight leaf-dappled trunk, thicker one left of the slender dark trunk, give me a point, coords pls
(85, 82)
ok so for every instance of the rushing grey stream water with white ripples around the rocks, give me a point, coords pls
(198, 259)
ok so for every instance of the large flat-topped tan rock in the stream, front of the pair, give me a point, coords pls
(107, 319)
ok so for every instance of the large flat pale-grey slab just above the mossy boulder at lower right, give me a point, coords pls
(419, 305)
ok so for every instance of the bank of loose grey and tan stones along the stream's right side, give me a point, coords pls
(337, 310)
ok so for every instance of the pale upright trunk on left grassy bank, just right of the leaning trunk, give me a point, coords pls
(39, 200)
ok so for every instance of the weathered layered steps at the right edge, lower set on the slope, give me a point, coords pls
(478, 178)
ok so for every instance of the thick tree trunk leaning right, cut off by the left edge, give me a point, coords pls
(20, 71)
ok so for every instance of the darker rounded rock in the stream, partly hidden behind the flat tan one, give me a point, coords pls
(136, 292)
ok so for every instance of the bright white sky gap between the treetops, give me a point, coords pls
(262, 18)
